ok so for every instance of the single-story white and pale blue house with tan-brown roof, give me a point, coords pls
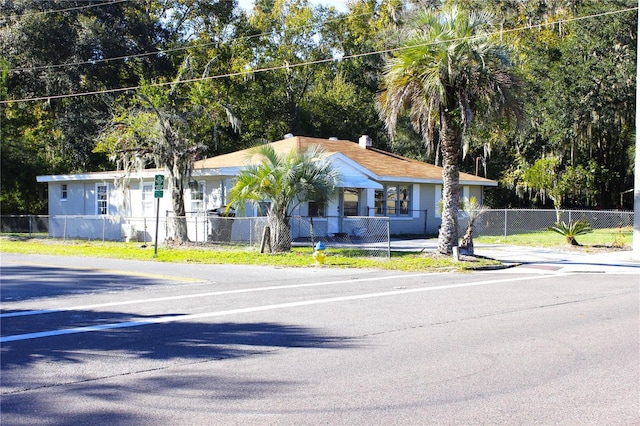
(374, 183)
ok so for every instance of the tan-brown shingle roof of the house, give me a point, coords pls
(383, 165)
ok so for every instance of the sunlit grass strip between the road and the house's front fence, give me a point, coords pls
(298, 257)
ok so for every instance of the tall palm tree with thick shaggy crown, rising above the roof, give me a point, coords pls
(447, 68)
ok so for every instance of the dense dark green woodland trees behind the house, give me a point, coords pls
(289, 66)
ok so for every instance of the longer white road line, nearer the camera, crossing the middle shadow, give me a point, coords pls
(166, 319)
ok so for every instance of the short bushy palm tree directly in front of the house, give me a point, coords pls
(284, 181)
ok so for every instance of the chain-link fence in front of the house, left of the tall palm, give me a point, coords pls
(360, 235)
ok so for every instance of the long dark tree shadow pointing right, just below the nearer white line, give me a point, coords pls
(179, 340)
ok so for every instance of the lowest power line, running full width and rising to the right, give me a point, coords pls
(315, 62)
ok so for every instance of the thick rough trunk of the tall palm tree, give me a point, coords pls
(450, 139)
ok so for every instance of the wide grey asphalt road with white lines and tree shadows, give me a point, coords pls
(95, 341)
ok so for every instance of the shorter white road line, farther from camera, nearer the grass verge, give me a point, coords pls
(208, 294)
